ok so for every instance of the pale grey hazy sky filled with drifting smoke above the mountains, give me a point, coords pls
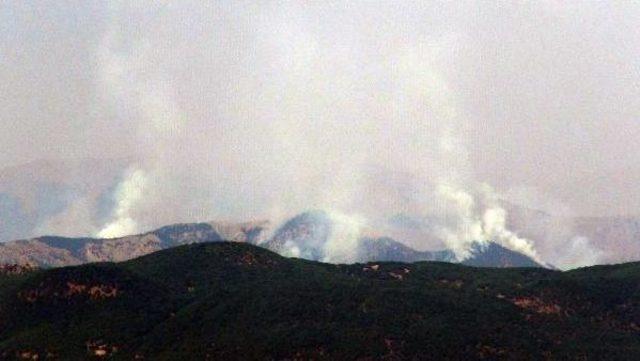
(270, 100)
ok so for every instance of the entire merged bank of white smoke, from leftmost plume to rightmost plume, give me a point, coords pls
(291, 117)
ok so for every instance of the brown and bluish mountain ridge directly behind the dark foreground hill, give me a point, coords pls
(308, 235)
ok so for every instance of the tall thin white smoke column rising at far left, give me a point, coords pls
(127, 80)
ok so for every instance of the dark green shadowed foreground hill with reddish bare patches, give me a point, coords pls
(227, 301)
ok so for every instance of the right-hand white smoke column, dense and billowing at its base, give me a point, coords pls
(473, 207)
